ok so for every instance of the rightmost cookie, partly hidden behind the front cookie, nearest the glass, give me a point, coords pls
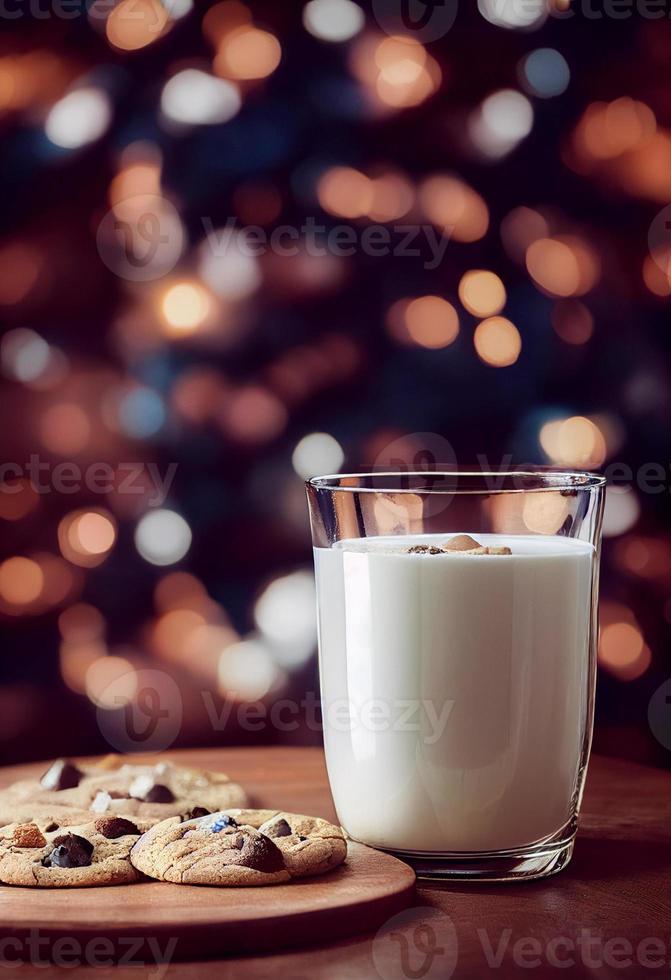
(309, 845)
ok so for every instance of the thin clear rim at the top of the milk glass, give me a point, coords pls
(552, 480)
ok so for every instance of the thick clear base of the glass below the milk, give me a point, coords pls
(523, 864)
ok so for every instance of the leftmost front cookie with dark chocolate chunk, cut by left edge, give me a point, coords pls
(48, 853)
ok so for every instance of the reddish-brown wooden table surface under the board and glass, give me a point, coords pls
(607, 915)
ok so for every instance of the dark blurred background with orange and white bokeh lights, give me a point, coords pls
(497, 291)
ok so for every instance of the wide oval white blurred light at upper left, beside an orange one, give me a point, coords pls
(195, 98)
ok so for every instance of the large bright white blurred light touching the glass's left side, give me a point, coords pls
(285, 613)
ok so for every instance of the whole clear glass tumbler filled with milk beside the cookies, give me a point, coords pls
(457, 654)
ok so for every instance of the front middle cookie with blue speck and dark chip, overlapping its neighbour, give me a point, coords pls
(209, 850)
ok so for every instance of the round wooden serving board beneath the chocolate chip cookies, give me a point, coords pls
(148, 920)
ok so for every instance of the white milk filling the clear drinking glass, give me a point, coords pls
(465, 679)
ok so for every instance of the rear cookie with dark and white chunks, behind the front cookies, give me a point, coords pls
(150, 792)
